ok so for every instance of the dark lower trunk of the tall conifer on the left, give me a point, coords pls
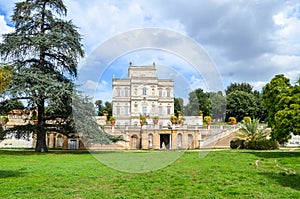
(41, 145)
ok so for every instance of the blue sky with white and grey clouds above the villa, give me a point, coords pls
(244, 41)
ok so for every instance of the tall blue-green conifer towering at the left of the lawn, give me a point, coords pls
(44, 52)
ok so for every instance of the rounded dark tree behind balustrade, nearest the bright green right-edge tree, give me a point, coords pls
(240, 104)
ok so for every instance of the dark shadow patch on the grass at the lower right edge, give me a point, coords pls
(284, 179)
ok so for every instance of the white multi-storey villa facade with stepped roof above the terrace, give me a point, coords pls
(142, 93)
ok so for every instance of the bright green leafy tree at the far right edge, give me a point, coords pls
(286, 108)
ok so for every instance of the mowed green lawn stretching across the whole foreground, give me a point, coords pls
(220, 174)
